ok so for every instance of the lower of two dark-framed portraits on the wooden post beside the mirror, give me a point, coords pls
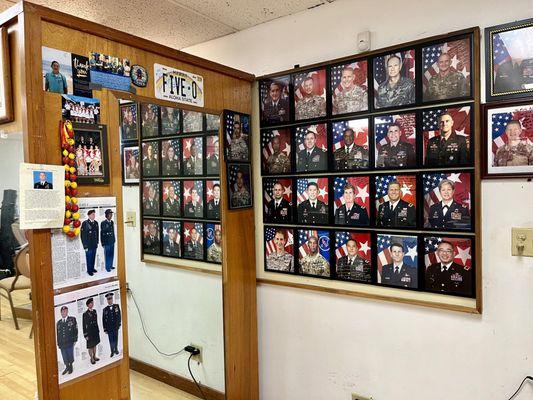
(239, 186)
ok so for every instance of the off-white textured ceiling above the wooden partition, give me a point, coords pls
(178, 23)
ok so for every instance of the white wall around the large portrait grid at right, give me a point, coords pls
(319, 346)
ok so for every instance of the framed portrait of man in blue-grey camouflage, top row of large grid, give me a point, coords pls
(394, 79)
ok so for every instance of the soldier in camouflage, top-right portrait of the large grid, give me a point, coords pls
(447, 84)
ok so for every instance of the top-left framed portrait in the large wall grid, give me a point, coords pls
(274, 97)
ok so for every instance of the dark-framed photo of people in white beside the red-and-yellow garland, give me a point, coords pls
(92, 161)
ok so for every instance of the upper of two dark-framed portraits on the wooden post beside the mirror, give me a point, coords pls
(237, 131)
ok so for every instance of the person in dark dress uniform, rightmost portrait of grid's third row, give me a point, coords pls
(447, 213)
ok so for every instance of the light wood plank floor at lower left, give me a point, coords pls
(17, 363)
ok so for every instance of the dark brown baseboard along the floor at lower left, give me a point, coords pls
(174, 380)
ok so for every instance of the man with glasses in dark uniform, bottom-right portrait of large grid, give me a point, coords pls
(446, 275)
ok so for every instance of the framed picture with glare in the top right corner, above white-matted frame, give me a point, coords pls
(509, 55)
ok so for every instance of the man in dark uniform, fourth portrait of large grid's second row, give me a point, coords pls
(396, 153)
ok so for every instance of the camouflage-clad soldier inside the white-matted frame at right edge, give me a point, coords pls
(516, 152)
